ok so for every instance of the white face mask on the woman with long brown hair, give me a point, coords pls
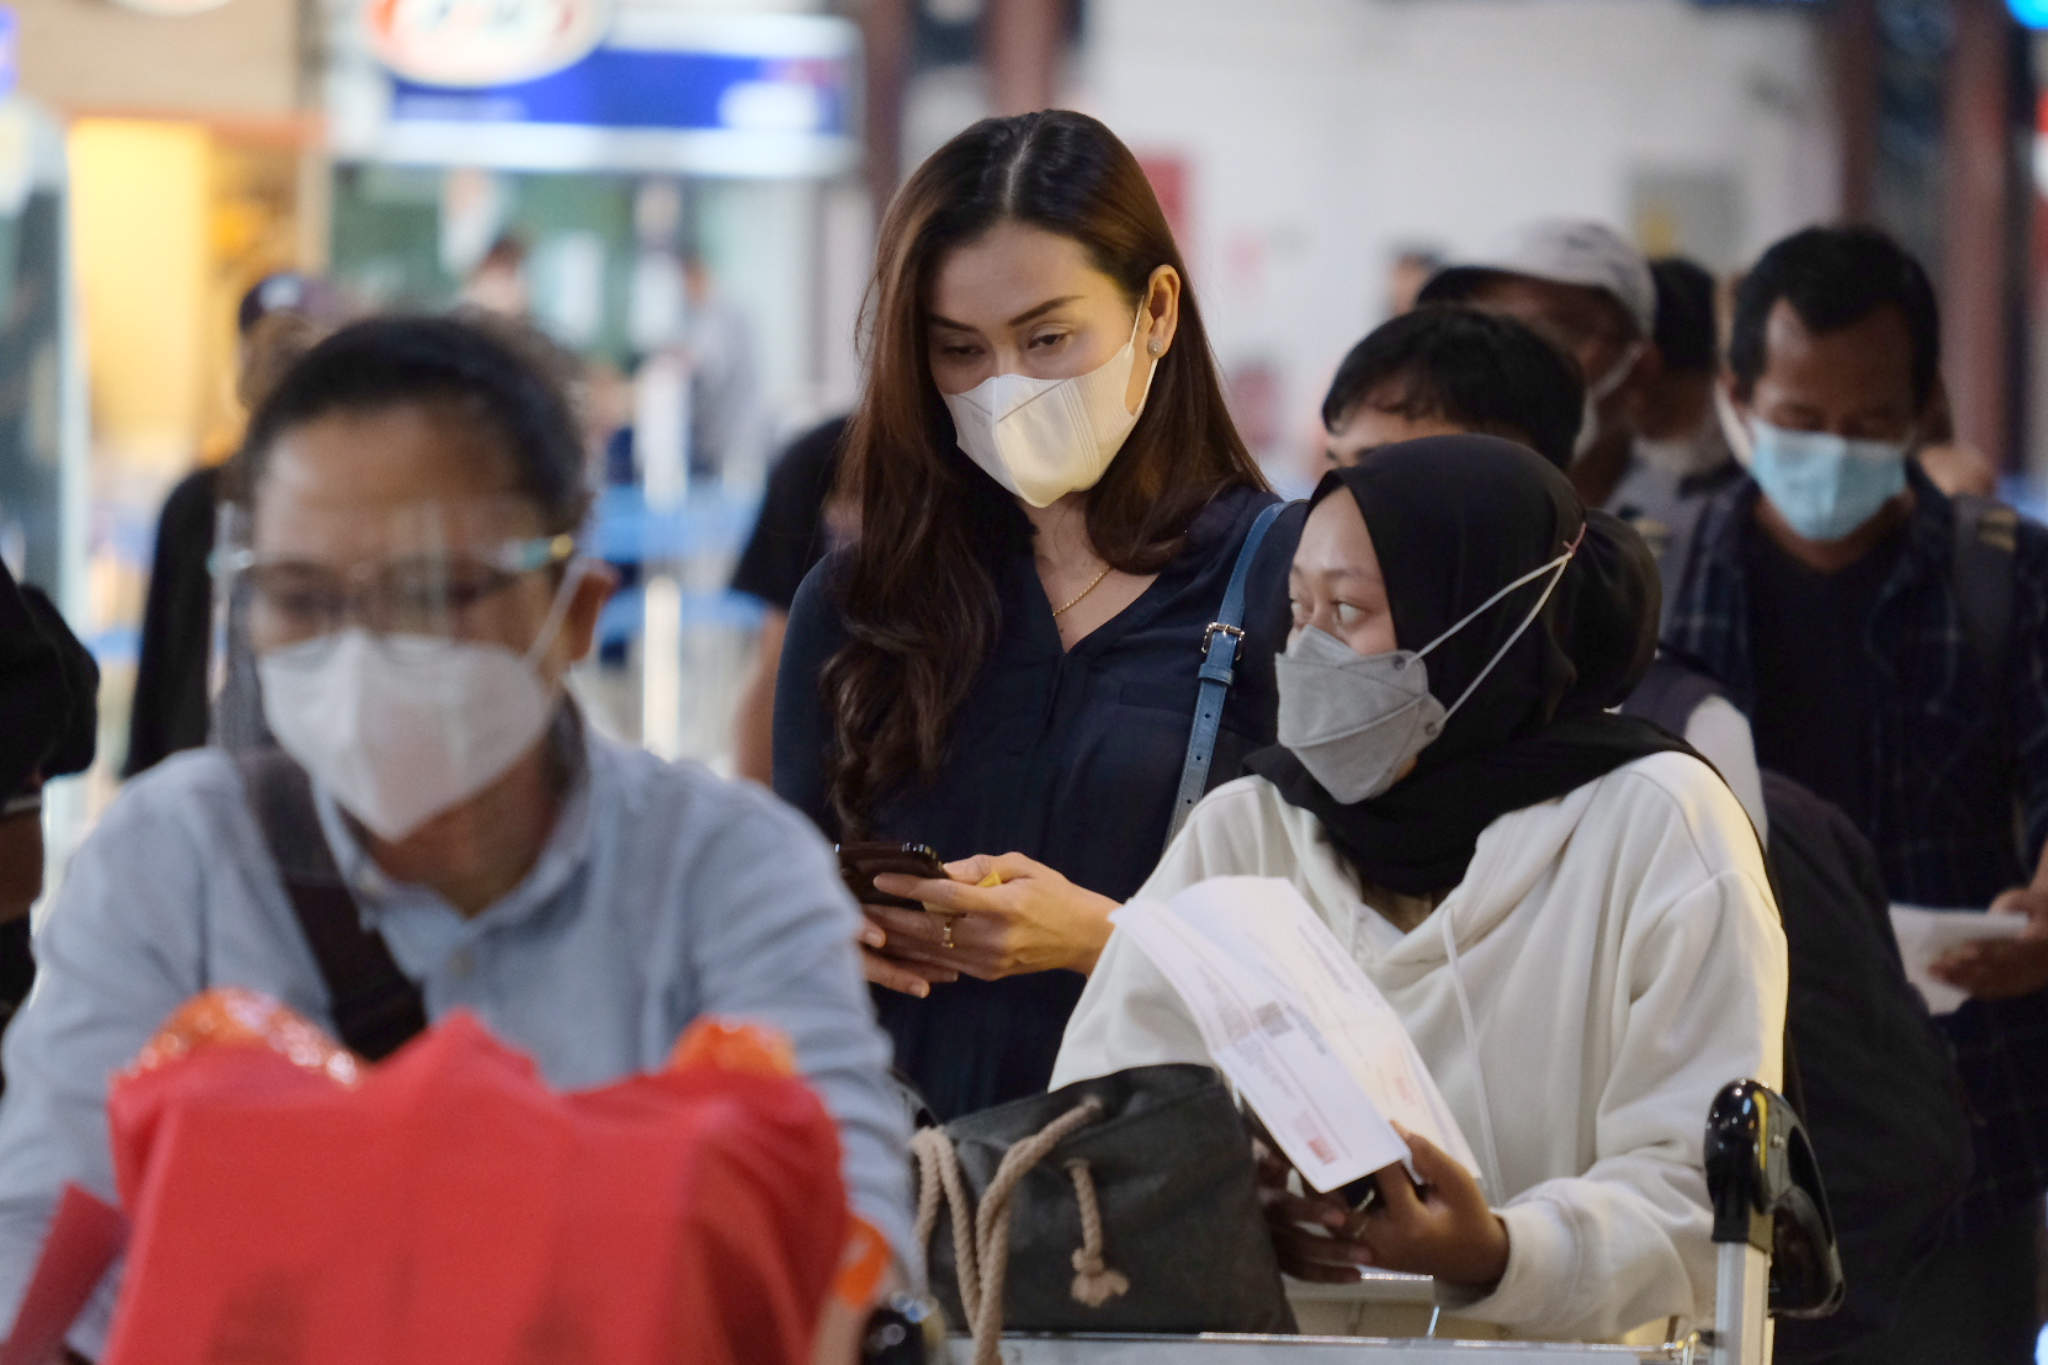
(1043, 439)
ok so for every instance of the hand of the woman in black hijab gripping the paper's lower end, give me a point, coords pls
(1447, 1229)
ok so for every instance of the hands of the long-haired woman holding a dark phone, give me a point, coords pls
(1031, 922)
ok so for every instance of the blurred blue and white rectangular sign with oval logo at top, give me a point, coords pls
(574, 85)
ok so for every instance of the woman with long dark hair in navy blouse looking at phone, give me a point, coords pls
(1005, 666)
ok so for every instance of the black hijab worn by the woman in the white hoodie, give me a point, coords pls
(1453, 521)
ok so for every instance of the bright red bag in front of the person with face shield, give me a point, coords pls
(296, 1206)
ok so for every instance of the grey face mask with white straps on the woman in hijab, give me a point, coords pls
(1355, 721)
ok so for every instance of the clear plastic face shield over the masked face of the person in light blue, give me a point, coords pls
(404, 658)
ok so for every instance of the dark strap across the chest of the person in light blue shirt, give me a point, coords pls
(376, 1006)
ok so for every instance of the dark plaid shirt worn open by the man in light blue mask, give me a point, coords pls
(1949, 766)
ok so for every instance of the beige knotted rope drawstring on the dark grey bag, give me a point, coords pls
(982, 1235)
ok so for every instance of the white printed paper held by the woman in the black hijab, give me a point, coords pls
(1297, 1026)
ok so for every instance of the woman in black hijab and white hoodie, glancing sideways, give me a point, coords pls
(1568, 910)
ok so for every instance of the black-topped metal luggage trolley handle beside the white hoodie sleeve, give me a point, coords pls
(1773, 1225)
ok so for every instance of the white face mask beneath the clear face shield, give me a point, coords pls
(404, 728)
